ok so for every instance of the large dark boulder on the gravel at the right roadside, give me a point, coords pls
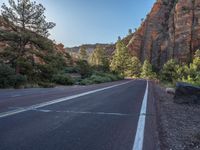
(187, 94)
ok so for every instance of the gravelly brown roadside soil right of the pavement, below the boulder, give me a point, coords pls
(178, 125)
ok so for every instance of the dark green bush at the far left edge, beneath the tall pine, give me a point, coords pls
(8, 78)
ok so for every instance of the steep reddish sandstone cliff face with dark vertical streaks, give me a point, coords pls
(170, 30)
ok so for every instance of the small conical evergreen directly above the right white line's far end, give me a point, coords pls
(147, 71)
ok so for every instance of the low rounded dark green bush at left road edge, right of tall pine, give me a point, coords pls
(63, 79)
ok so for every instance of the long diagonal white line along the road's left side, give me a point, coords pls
(20, 110)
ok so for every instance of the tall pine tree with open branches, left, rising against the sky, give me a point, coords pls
(29, 24)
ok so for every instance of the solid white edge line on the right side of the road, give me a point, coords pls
(139, 138)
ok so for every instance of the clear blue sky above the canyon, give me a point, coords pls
(93, 21)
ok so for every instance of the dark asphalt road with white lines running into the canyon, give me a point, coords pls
(105, 119)
